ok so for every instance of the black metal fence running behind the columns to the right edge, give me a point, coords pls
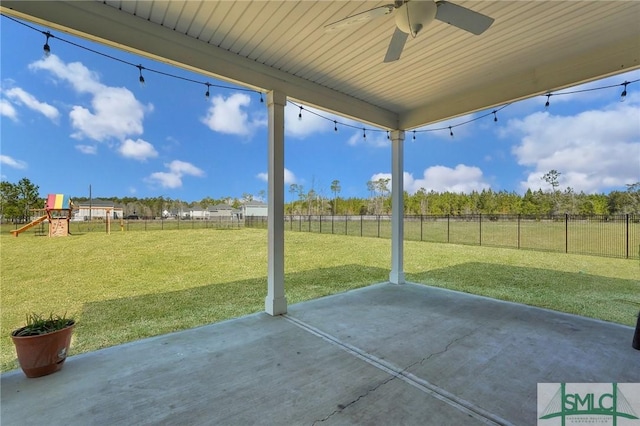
(611, 236)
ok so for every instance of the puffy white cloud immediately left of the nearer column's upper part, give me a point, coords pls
(230, 116)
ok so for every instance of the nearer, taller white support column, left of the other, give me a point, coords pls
(276, 302)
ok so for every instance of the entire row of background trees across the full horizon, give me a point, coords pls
(17, 201)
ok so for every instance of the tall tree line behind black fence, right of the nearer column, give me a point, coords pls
(532, 203)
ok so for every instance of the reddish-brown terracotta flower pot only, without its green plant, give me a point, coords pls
(43, 354)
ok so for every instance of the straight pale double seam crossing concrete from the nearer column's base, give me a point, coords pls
(401, 373)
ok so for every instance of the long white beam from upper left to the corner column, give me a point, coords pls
(105, 24)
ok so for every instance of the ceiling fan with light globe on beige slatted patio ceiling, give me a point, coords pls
(412, 16)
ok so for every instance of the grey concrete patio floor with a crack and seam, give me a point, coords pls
(381, 355)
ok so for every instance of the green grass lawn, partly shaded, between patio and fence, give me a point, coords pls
(131, 285)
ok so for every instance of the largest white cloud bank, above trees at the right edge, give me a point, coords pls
(594, 150)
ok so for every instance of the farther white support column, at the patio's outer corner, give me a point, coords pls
(397, 207)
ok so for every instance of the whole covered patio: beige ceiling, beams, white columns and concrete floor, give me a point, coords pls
(394, 353)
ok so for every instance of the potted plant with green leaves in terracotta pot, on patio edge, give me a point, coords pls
(43, 343)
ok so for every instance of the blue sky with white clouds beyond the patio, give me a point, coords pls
(75, 119)
